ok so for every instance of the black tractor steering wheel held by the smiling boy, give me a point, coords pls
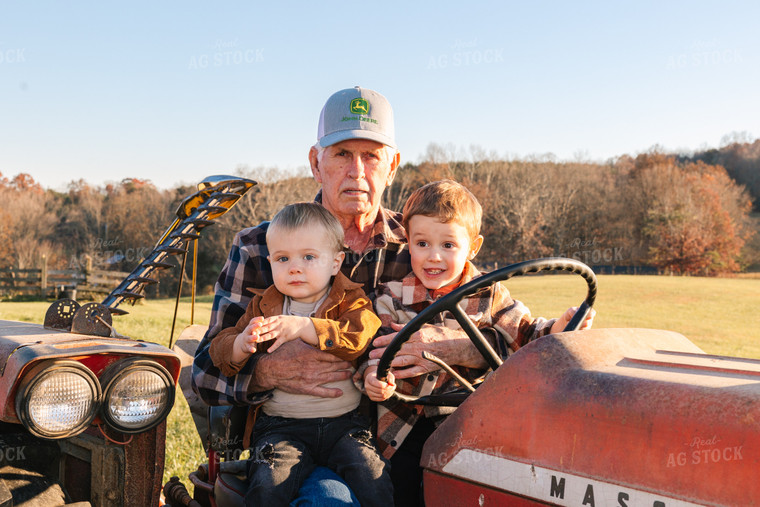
(450, 303)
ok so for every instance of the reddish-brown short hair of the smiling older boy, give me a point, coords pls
(448, 201)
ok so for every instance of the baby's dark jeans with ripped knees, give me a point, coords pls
(286, 451)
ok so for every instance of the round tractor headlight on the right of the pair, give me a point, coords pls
(138, 394)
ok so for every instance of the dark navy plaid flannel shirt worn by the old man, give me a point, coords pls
(386, 258)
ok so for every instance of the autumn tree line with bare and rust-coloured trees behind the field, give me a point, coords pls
(673, 213)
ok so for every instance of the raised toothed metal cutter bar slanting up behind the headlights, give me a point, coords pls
(215, 196)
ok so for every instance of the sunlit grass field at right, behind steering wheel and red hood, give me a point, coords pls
(717, 314)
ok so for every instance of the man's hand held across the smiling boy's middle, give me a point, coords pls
(452, 346)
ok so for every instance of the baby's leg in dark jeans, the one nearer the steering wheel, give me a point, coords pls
(354, 457)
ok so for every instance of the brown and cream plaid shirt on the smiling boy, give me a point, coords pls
(491, 307)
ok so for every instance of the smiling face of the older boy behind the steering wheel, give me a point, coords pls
(439, 250)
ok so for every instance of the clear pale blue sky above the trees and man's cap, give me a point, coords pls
(176, 91)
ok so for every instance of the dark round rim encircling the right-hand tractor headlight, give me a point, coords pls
(120, 371)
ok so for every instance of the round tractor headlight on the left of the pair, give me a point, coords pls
(57, 399)
